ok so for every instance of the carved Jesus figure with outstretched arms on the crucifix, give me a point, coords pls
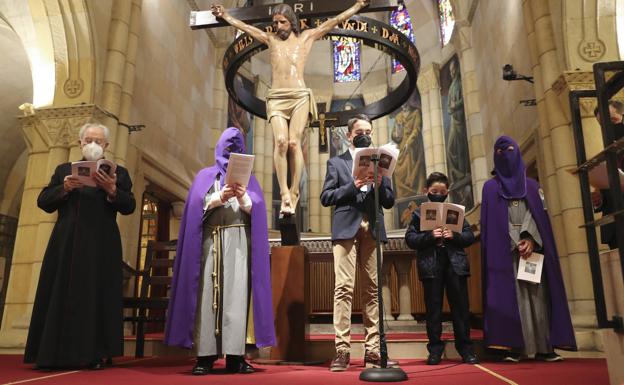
(289, 102)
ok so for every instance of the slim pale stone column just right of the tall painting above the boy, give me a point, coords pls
(462, 39)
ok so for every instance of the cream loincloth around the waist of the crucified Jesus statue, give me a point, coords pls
(284, 102)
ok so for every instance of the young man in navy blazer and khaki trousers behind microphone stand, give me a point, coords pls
(353, 237)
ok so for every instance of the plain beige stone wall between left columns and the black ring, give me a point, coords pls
(177, 90)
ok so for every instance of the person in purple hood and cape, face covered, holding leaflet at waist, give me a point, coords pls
(522, 317)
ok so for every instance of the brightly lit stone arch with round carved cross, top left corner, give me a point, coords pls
(58, 39)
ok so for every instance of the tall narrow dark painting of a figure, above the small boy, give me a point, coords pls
(455, 134)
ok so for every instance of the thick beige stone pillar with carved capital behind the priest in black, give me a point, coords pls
(49, 134)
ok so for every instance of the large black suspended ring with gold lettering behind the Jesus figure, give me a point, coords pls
(373, 33)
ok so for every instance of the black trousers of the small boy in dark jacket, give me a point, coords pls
(457, 294)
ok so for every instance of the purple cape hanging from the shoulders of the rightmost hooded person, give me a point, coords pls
(502, 325)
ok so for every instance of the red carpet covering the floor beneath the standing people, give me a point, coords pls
(176, 370)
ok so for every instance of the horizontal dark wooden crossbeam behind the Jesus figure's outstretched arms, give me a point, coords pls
(307, 8)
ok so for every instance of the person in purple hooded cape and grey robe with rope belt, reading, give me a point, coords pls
(216, 267)
